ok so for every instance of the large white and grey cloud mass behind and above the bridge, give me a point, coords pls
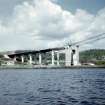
(43, 24)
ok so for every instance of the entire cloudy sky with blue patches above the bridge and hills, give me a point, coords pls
(39, 24)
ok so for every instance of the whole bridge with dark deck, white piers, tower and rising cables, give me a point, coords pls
(51, 56)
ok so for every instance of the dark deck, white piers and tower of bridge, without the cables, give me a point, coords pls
(49, 57)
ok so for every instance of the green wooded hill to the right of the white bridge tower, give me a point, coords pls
(93, 55)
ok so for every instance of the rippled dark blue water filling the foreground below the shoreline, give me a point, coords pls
(52, 87)
